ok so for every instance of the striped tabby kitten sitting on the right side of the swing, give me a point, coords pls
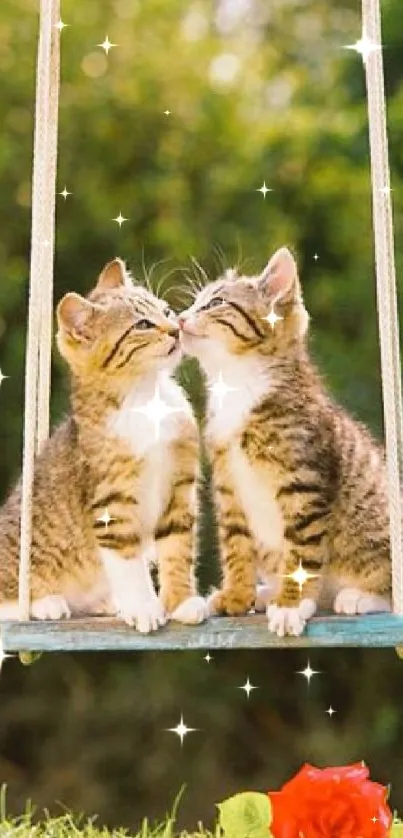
(297, 481)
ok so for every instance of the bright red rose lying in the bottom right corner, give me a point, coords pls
(331, 803)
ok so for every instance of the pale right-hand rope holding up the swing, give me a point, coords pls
(386, 292)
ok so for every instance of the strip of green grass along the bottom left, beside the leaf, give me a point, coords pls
(78, 826)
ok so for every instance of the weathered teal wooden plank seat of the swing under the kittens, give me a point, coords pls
(249, 632)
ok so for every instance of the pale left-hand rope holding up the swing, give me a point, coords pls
(38, 350)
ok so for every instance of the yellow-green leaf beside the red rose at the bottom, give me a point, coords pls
(246, 815)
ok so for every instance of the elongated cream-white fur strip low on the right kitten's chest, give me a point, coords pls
(257, 498)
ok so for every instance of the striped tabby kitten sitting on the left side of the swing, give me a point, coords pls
(112, 492)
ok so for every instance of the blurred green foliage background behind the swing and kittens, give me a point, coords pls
(257, 91)
